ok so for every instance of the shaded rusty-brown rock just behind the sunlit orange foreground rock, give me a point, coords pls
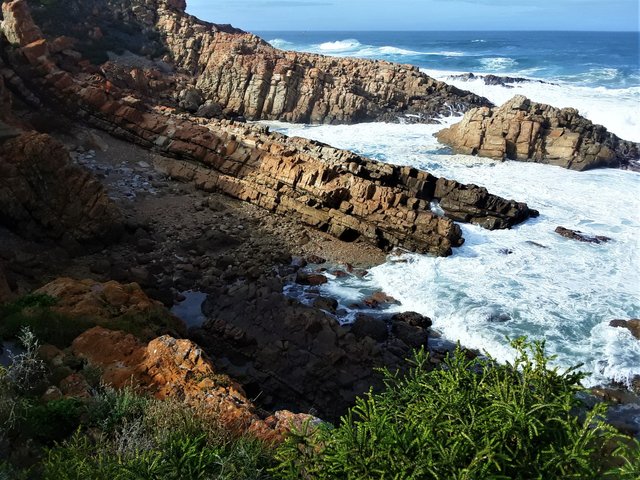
(112, 303)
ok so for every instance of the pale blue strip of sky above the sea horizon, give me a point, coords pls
(344, 15)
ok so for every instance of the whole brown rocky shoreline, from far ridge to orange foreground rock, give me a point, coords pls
(142, 171)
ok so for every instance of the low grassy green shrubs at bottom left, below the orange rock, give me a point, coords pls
(143, 438)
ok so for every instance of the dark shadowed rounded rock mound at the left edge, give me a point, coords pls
(42, 194)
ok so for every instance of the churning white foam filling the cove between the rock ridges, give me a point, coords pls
(553, 288)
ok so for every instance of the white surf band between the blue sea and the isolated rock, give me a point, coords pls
(616, 109)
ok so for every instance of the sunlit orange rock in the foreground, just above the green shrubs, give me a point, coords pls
(180, 370)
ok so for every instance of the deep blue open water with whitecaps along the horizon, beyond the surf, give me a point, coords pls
(608, 59)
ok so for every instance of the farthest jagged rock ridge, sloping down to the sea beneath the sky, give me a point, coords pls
(242, 74)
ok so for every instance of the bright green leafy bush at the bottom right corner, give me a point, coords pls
(470, 419)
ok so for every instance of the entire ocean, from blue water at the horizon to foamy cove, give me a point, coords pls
(528, 280)
